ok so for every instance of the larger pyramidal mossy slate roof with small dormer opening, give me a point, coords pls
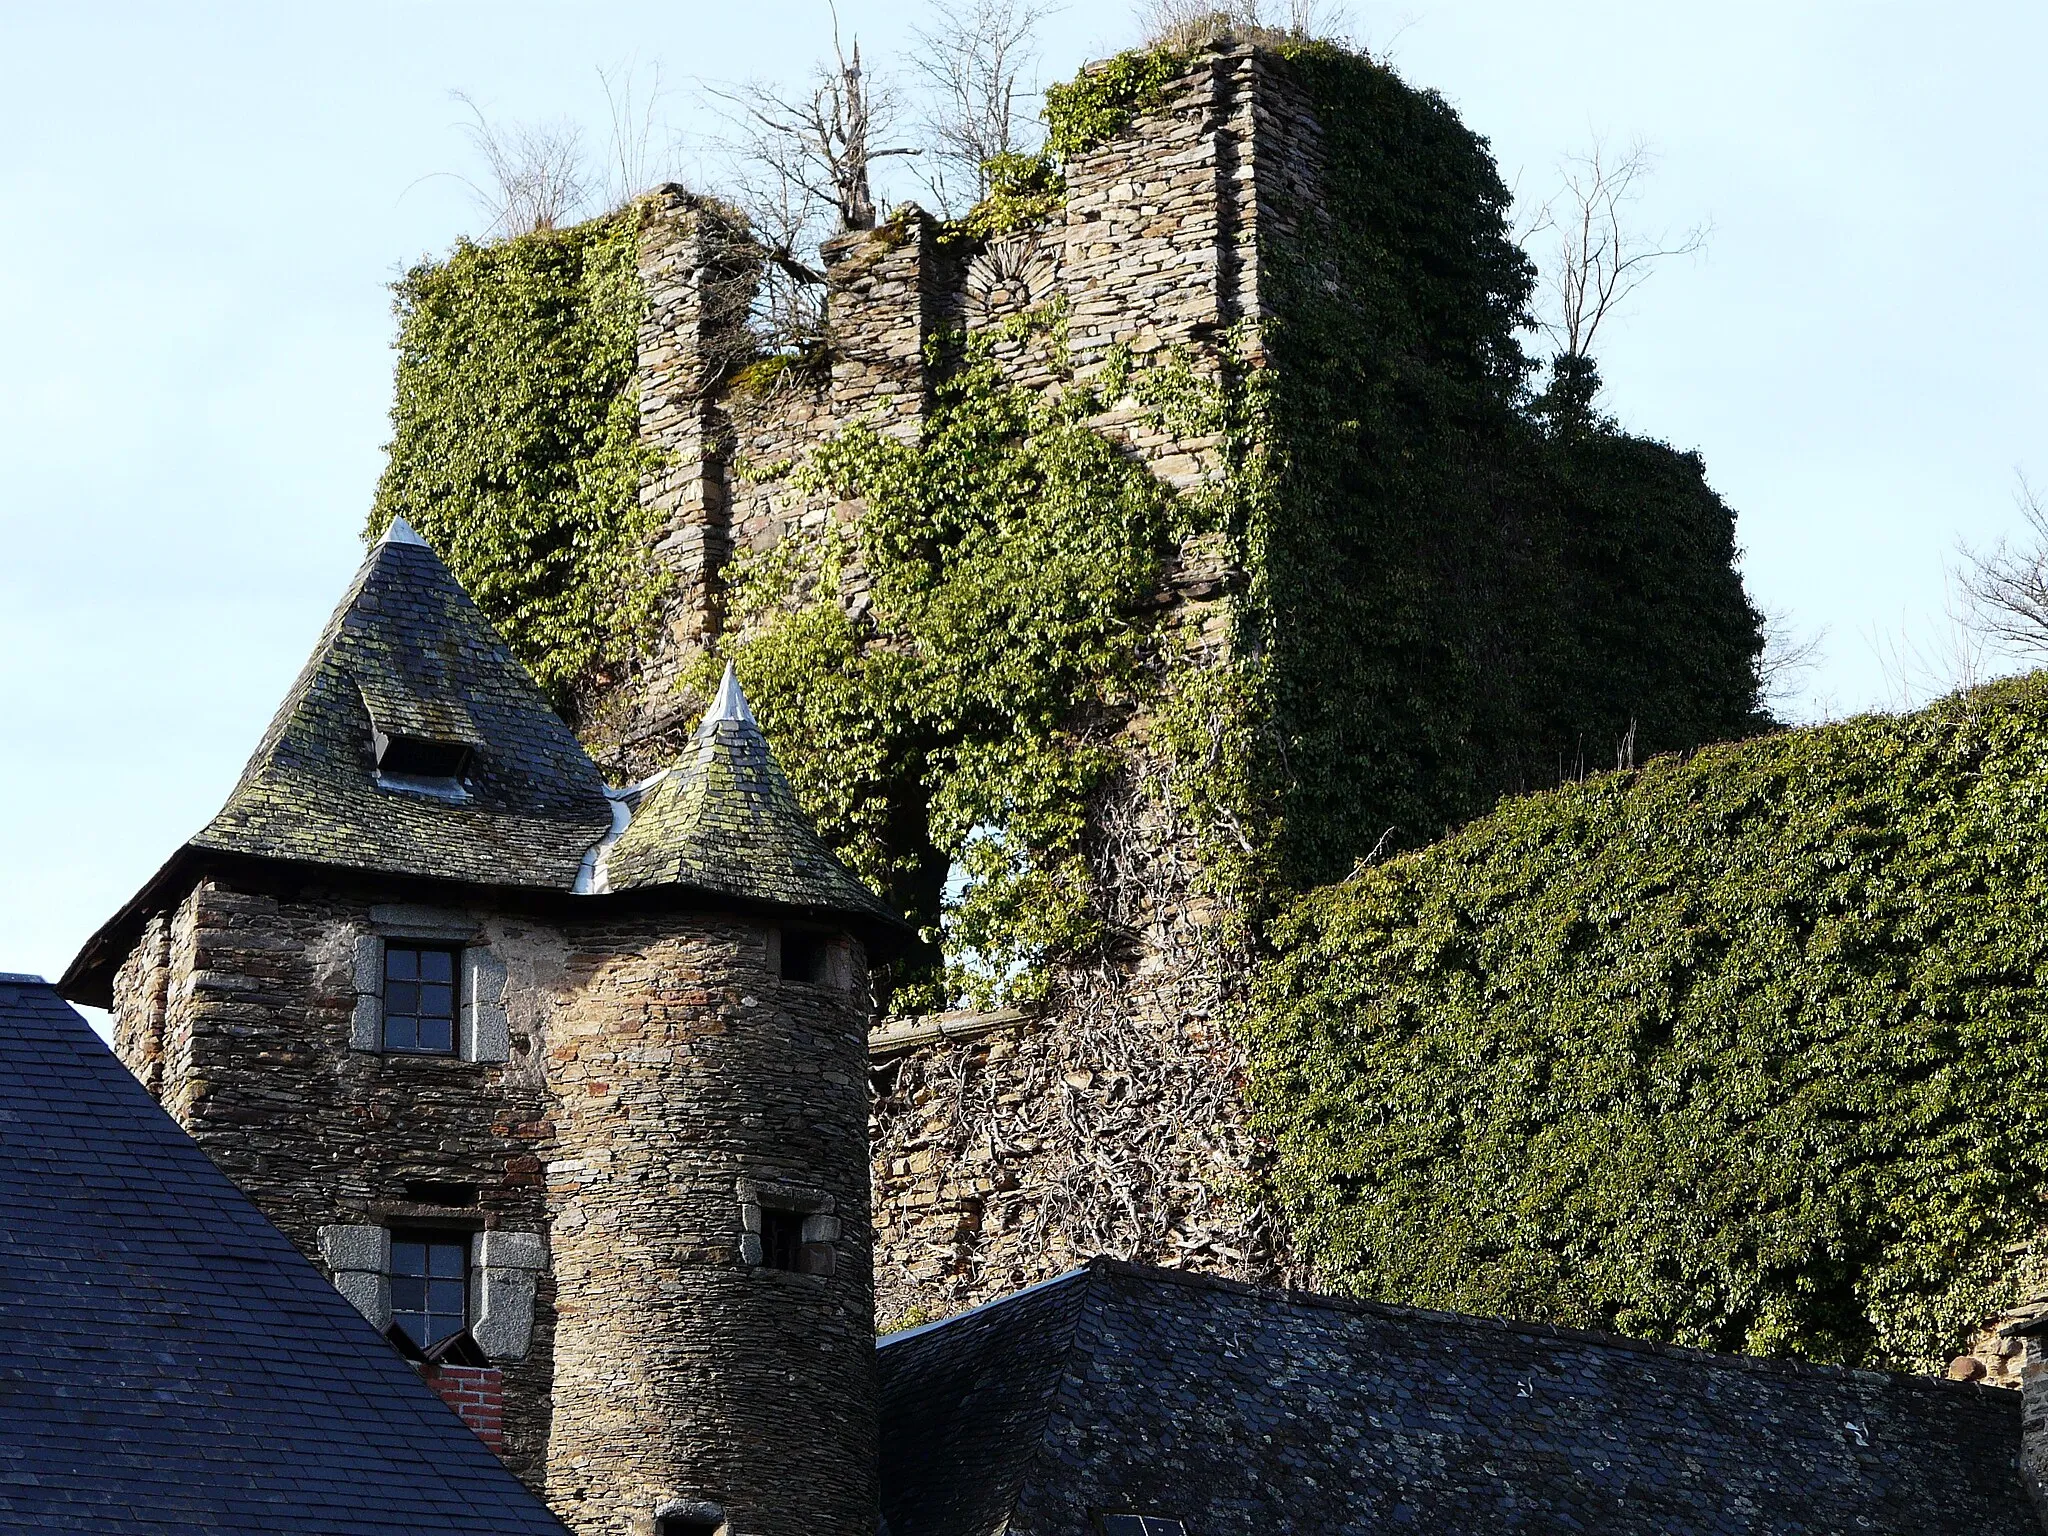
(411, 652)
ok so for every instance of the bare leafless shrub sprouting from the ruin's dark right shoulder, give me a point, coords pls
(1598, 259)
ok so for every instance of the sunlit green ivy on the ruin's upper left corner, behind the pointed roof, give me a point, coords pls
(517, 443)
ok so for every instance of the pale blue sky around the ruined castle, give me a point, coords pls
(204, 208)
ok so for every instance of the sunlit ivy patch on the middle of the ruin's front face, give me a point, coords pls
(962, 722)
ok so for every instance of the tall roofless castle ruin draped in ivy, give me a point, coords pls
(1177, 534)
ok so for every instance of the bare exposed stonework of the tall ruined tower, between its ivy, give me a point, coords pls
(1111, 1121)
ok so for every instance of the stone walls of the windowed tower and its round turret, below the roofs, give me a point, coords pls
(660, 1080)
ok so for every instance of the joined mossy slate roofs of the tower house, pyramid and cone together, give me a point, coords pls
(409, 654)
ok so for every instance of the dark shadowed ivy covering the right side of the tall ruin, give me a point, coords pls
(1461, 589)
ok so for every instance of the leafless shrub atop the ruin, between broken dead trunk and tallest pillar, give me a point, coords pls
(974, 62)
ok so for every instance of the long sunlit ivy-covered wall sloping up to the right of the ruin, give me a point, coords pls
(1746, 1052)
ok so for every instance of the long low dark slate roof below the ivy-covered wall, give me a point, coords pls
(1244, 1410)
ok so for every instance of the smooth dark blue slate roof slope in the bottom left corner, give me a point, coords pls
(169, 1361)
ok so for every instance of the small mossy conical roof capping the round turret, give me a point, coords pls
(724, 820)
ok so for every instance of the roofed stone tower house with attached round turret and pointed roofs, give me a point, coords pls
(564, 1084)
